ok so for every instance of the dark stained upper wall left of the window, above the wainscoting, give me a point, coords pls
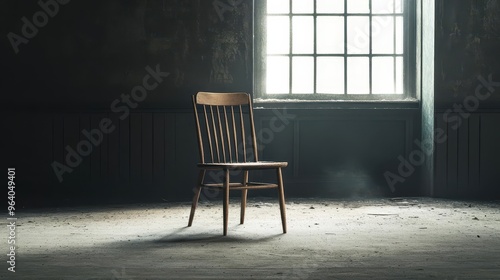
(91, 52)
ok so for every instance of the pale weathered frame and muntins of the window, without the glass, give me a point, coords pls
(409, 61)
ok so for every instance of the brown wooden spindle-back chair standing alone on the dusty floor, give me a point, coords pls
(225, 146)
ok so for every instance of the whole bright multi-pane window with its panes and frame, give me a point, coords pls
(335, 49)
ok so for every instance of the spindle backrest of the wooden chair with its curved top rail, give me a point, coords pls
(226, 134)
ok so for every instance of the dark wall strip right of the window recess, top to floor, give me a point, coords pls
(468, 98)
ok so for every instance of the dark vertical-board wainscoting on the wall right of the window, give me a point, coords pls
(467, 161)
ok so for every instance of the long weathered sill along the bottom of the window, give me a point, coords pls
(264, 103)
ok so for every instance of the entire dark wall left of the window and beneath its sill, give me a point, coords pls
(64, 80)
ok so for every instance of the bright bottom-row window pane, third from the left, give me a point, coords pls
(330, 75)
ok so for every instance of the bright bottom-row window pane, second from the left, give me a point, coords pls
(302, 75)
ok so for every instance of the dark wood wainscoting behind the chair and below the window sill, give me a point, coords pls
(148, 155)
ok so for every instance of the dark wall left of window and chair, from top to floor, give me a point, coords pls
(65, 75)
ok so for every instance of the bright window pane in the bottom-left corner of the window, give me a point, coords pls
(278, 69)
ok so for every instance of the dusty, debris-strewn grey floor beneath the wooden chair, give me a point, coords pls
(412, 238)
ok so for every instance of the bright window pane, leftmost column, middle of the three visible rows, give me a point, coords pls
(278, 35)
